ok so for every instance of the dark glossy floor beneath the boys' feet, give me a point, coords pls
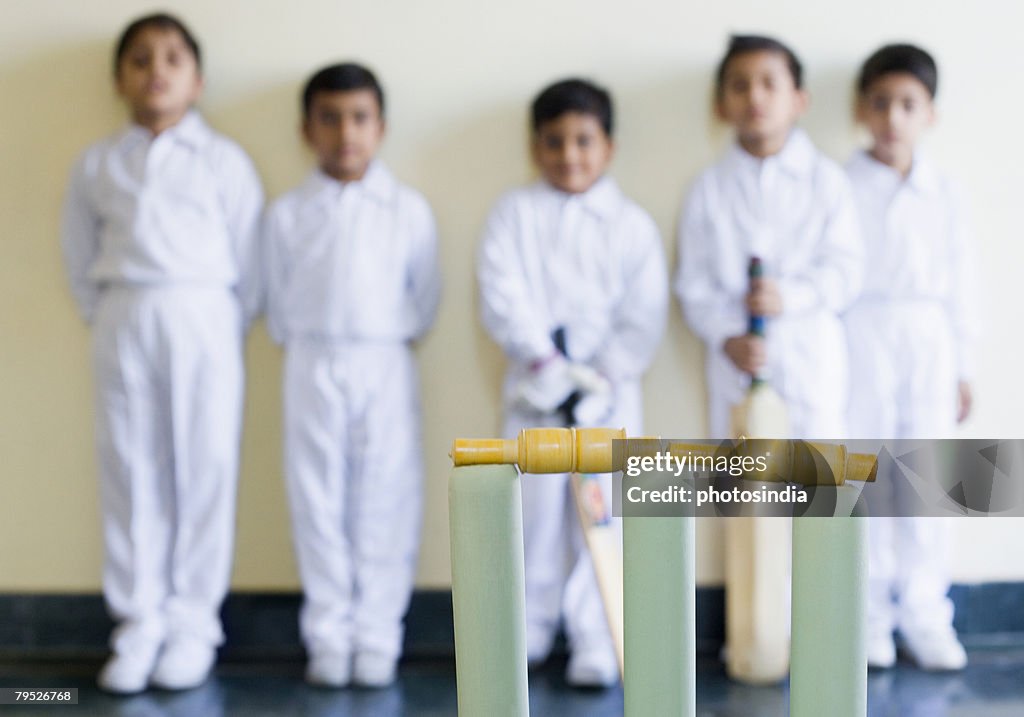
(992, 687)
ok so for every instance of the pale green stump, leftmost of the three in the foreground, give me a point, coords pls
(489, 592)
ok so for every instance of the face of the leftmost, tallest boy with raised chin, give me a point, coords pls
(159, 77)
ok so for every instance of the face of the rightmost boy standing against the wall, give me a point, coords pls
(897, 109)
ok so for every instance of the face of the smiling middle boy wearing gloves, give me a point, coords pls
(573, 152)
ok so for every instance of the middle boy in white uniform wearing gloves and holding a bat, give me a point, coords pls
(574, 289)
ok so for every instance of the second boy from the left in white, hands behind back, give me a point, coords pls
(352, 261)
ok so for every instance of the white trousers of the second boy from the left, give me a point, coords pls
(355, 474)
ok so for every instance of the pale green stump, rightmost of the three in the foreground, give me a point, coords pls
(829, 659)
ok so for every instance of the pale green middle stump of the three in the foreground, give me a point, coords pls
(660, 618)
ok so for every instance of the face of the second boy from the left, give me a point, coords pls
(345, 130)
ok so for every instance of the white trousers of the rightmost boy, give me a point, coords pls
(904, 386)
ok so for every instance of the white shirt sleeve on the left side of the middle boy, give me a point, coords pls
(510, 314)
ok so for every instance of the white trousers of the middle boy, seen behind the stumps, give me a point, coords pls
(561, 579)
